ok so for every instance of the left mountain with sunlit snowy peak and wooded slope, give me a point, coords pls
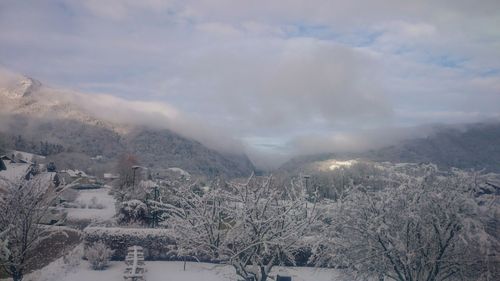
(49, 122)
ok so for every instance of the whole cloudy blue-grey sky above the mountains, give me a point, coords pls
(280, 77)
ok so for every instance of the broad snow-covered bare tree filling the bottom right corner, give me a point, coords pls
(426, 228)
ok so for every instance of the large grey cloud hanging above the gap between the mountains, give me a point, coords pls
(286, 84)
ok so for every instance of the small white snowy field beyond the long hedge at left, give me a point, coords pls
(85, 198)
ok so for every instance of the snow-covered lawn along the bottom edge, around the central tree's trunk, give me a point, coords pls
(169, 271)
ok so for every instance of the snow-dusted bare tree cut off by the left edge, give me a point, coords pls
(23, 206)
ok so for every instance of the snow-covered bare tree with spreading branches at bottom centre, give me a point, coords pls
(252, 226)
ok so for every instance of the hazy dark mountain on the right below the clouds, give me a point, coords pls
(472, 146)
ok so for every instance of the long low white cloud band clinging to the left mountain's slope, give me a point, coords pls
(123, 113)
